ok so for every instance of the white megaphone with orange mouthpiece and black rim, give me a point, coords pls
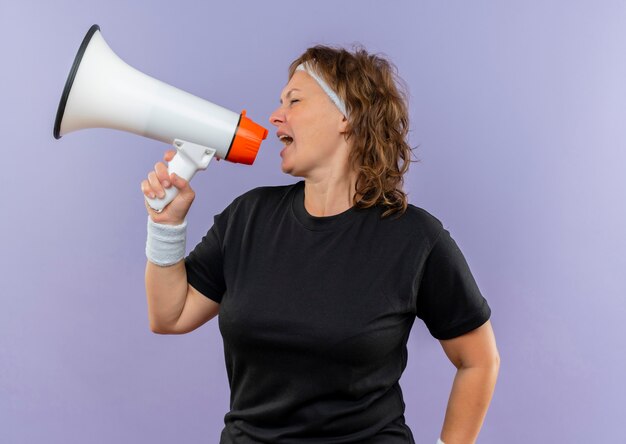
(102, 91)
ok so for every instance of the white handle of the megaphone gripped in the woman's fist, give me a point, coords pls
(190, 158)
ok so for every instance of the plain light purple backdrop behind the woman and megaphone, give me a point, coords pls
(518, 109)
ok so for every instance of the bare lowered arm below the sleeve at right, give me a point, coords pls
(476, 358)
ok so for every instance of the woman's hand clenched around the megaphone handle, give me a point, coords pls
(174, 213)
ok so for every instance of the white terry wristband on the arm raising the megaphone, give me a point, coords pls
(165, 244)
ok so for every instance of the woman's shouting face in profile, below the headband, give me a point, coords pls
(313, 127)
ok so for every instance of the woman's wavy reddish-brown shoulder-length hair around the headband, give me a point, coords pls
(376, 99)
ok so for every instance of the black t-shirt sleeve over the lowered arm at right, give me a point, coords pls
(448, 299)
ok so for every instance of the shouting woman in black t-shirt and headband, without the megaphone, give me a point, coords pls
(318, 283)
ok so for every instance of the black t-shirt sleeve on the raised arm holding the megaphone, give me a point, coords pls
(205, 263)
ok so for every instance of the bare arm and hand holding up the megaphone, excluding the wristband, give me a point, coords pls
(174, 306)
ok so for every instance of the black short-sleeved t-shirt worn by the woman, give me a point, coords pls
(315, 313)
